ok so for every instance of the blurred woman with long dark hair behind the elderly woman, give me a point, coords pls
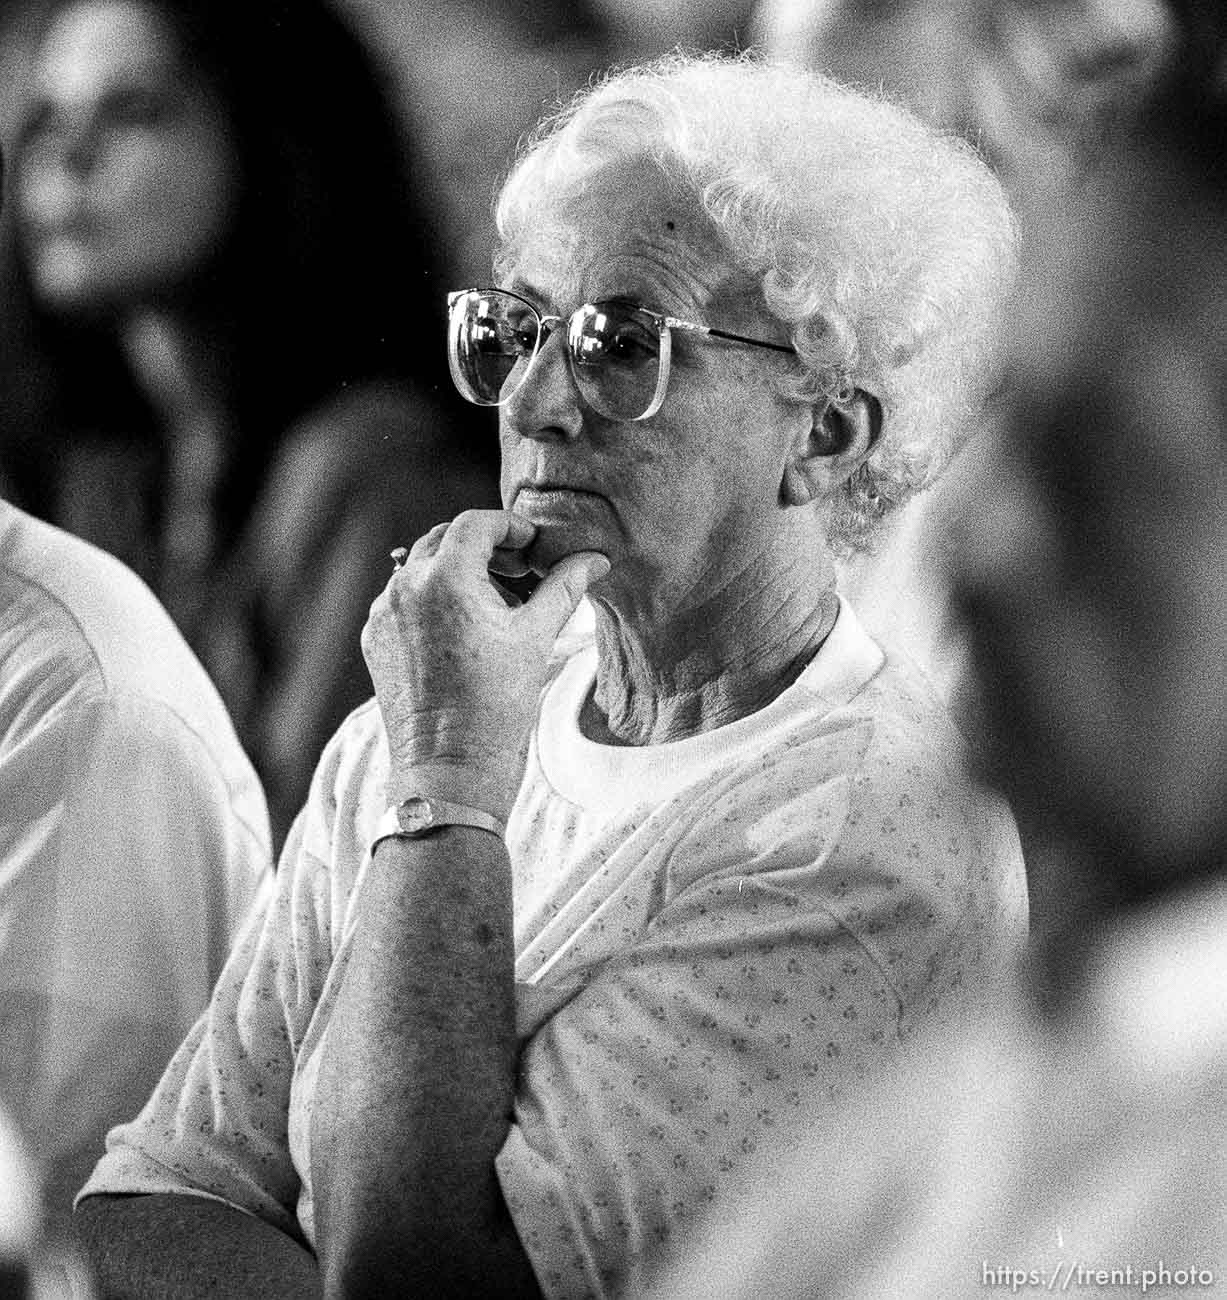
(226, 366)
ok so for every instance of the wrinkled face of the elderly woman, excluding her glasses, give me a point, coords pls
(688, 499)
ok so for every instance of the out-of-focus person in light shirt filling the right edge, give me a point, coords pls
(1082, 1128)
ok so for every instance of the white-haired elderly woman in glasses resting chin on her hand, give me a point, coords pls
(571, 922)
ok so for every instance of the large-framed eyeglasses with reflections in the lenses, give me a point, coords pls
(618, 353)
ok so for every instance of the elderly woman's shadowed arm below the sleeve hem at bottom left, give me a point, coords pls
(187, 1246)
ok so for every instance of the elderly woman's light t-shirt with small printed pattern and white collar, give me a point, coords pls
(716, 938)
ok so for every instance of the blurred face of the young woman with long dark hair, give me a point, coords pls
(128, 176)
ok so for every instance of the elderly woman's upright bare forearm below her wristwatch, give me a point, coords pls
(418, 1077)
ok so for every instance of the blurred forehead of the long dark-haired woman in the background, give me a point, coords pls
(94, 45)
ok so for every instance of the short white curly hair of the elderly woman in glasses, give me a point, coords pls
(886, 248)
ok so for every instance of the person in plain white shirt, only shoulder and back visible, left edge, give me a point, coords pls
(135, 840)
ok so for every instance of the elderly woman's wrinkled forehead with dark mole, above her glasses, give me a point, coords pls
(625, 231)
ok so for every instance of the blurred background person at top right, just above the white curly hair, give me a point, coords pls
(1035, 85)
